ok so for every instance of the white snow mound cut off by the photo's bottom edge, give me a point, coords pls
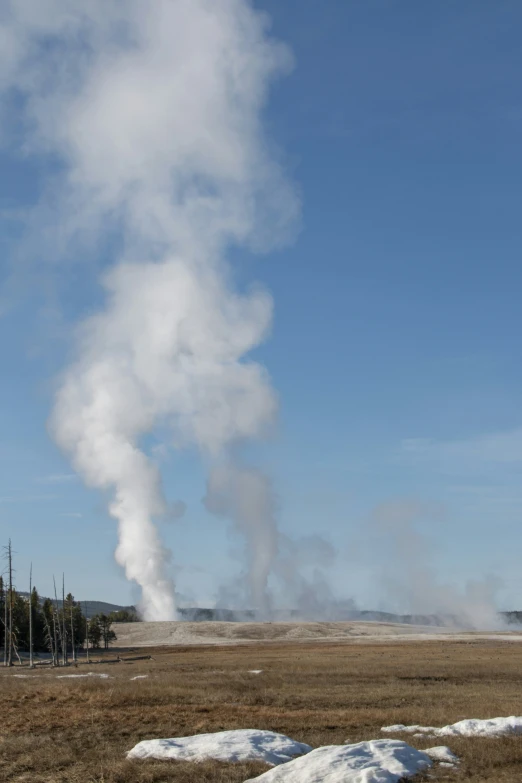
(377, 761)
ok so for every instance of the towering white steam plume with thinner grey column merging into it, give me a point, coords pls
(152, 111)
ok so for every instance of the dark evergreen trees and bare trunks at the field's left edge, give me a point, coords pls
(54, 626)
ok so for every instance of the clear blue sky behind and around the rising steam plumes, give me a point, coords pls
(395, 346)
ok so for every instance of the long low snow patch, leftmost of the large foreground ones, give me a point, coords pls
(238, 745)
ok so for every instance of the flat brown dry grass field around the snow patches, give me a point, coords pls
(78, 730)
